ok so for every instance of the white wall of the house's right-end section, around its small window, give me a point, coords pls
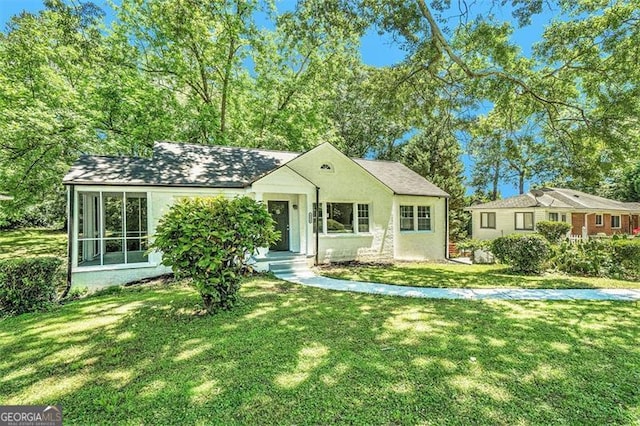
(422, 245)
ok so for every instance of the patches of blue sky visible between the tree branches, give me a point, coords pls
(376, 49)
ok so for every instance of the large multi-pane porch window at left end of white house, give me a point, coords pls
(112, 228)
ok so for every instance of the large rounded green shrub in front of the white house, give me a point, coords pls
(210, 239)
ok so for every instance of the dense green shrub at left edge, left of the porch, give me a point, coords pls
(28, 284)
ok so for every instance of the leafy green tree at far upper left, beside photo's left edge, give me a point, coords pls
(46, 69)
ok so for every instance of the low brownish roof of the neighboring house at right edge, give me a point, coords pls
(557, 198)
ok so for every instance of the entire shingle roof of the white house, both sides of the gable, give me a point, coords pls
(175, 164)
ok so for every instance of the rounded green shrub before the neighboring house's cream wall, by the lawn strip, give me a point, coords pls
(524, 253)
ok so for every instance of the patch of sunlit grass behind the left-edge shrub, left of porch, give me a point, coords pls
(33, 242)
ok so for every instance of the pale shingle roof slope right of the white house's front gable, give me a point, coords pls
(400, 179)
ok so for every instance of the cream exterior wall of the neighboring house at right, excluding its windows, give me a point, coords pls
(506, 222)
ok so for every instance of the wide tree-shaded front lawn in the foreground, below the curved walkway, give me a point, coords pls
(297, 355)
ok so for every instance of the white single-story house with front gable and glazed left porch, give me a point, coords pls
(362, 209)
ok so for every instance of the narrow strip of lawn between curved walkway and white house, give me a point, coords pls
(465, 276)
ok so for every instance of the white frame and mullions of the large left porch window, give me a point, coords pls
(100, 238)
